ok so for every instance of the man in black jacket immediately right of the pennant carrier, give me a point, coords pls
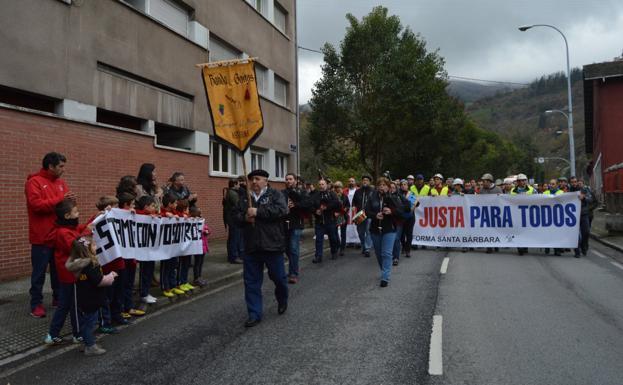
(298, 204)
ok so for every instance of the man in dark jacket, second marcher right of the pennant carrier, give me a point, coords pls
(324, 204)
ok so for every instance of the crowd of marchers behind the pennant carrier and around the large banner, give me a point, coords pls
(383, 213)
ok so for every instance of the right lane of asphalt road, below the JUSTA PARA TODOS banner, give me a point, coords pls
(534, 319)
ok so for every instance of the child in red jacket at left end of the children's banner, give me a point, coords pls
(64, 232)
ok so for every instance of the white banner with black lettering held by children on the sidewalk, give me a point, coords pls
(120, 233)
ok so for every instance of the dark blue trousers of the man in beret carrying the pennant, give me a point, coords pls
(254, 277)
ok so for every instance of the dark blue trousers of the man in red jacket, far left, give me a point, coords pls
(41, 256)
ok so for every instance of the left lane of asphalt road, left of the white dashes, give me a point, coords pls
(340, 328)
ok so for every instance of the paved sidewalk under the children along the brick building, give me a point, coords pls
(21, 332)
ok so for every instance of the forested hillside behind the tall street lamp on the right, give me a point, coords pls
(520, 116)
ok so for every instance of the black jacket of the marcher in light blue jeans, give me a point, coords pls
(376, 203)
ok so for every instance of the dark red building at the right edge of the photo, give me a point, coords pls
(603, 105)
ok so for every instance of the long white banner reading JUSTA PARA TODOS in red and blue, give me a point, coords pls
(498, 221)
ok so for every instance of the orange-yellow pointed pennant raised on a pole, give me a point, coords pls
(233, 101)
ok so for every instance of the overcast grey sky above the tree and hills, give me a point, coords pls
(477, 38)
